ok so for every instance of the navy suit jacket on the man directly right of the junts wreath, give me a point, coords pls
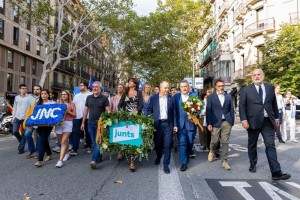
(154, 108)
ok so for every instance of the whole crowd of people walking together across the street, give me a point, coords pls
(262, 110)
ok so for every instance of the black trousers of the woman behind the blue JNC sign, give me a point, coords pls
(44, 132)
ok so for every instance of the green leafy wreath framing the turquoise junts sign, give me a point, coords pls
(127, 150)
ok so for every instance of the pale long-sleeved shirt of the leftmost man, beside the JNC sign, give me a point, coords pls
(21, 104)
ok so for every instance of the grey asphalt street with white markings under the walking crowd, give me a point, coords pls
(202, 180)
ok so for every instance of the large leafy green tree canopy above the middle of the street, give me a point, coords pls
(154, 54)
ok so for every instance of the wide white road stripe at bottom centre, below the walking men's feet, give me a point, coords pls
(169, 184)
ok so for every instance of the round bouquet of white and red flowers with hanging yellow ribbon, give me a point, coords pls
(193, 107)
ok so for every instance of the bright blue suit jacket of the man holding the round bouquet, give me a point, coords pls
(180, 117)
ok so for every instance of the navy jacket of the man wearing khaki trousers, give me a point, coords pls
(214, 110)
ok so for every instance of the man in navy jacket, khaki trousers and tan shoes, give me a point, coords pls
(220, 119)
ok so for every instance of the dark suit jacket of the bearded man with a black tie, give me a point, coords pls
(251, 106)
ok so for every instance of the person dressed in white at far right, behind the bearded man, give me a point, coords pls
(290, 109)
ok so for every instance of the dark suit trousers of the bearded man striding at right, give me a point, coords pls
(268, 134)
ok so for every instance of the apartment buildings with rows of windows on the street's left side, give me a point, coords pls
(22, 54)
